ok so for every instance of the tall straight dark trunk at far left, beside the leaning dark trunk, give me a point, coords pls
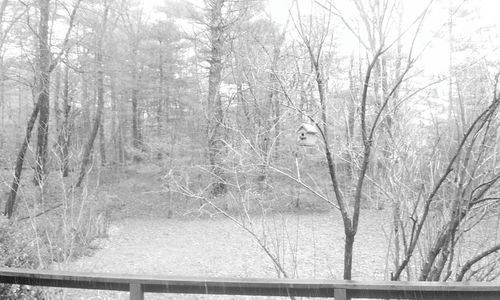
(43, 93)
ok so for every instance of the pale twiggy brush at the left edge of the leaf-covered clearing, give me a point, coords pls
(53, 225)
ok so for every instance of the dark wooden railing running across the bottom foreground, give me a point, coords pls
(137, 285)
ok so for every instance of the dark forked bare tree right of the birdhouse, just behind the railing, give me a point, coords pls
(377, 45)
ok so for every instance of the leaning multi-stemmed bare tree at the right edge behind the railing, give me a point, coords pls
(469, 195)
